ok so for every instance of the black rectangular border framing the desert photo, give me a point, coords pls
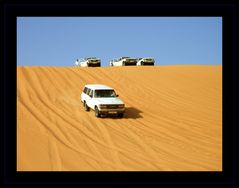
(227, 11)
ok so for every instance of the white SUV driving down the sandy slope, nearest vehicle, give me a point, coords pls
(102, 99)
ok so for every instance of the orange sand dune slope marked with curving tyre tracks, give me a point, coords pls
(173, 119)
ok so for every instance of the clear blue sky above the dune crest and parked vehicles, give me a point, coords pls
(59, 41)
